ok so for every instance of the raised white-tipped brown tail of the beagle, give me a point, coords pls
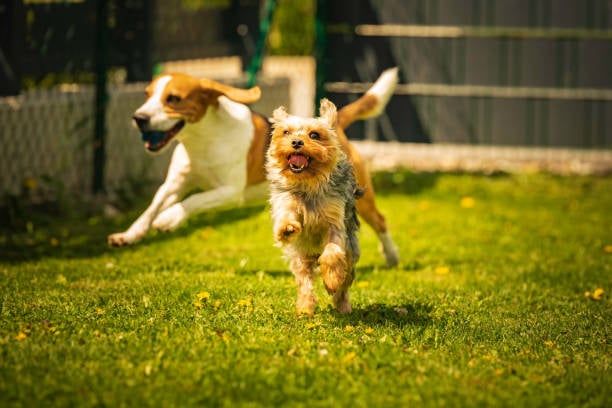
(372, 103)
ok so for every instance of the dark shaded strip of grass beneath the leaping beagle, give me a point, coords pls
(53, 236)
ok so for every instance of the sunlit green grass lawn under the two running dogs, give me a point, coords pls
(495, 303)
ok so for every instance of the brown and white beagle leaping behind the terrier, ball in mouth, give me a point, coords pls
(221, 149)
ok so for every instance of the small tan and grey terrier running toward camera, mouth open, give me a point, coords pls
(313, 192)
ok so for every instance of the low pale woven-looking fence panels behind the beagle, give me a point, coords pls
(47, 142)
